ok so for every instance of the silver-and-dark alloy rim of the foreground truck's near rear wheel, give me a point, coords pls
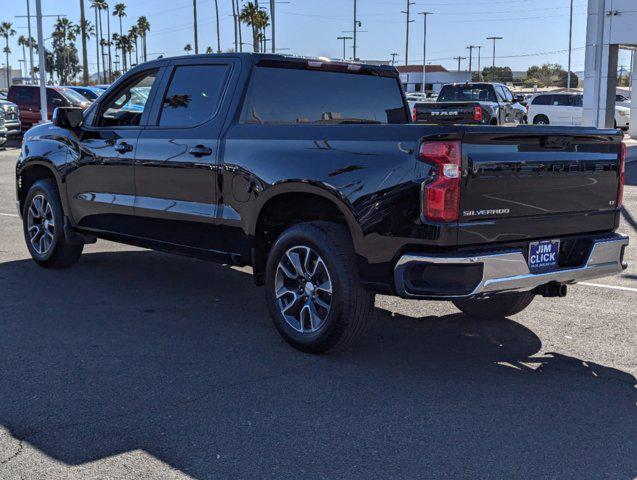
(303, 289)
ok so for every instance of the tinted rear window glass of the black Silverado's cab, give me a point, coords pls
(291, 96)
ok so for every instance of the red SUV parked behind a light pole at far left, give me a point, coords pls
(27, 98)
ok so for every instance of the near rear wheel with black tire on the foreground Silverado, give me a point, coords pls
(350, 305)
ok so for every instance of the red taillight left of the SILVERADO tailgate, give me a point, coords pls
(441, 196)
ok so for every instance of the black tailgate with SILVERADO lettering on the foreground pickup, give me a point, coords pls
(533, 182)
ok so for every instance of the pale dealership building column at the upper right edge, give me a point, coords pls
(611, 27)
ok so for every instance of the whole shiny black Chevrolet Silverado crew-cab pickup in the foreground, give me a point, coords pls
(312, 173)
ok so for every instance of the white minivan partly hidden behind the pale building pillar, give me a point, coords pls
(566, 108)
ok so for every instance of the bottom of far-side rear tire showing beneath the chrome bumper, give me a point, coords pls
(496, 307)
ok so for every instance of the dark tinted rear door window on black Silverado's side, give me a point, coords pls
(193, 95)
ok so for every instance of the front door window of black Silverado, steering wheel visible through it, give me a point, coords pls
(126, 107)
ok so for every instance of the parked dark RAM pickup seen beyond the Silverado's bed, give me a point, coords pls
(470, 104)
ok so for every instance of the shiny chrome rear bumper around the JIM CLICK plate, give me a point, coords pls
(509, 271)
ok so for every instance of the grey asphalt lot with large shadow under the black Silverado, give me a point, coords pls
(136, 364)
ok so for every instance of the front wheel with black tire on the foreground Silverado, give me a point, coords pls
(60, 252)
